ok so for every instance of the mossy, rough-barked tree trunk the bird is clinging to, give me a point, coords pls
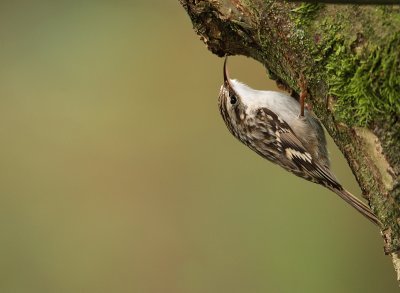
(350, 58)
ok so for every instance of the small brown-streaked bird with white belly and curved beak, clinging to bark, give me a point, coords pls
(271, 124)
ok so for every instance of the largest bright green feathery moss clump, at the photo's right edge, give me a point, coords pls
(368, 88)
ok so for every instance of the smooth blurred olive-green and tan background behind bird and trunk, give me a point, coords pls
(118, 175)
